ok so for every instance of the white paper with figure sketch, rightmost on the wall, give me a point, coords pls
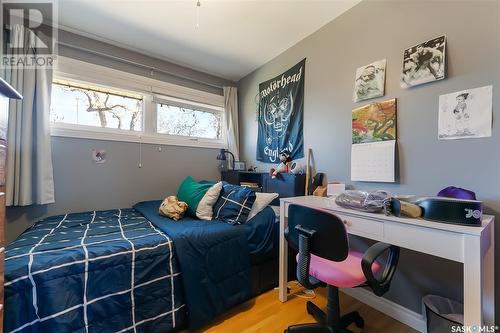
(466, 114)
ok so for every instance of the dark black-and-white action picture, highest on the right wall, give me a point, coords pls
(425, 62)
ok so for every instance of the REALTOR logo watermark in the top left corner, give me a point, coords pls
(29, 33)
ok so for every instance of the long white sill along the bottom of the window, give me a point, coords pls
(113, 135)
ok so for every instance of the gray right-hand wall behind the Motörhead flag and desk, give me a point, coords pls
(375, 30)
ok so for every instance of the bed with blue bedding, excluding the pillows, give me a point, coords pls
(131, 269)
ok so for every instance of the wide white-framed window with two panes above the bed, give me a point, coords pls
(95, 102)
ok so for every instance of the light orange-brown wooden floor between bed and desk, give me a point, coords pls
(267, 314)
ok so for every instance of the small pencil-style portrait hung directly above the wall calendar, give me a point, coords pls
(370, 81)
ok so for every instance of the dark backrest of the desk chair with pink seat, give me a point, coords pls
(330, 238)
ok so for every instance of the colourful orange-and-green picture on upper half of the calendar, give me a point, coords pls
(374, 122)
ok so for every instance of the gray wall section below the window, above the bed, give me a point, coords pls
(83, 185)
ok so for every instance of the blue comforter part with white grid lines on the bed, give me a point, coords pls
(107, 271)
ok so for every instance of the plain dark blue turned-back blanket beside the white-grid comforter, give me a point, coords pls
(214, 258)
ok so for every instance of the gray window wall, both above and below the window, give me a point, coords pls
(81, 185)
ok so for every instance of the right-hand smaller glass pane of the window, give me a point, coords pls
(189, 120)
